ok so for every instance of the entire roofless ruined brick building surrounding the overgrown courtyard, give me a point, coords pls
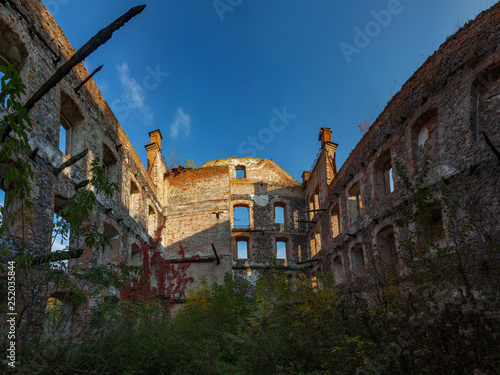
(334, 221)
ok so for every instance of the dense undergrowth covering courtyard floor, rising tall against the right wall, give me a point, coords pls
(441, 320)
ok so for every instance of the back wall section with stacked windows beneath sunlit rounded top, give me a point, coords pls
(264, 186)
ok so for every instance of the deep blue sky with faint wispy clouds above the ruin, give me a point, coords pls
(257, 78)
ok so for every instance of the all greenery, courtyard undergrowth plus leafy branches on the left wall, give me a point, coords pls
(444, 319)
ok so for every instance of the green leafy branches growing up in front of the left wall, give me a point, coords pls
(47, 325)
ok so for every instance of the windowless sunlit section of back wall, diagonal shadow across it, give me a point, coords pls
(198, 219)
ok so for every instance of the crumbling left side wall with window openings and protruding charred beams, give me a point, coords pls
(42, 47)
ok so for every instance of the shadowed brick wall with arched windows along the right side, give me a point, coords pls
(442, 110)
